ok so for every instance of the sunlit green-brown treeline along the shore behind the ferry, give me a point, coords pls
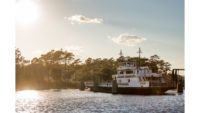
(60, 69)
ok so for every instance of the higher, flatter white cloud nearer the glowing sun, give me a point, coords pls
(83, 19)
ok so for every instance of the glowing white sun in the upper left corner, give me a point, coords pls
(26, 11)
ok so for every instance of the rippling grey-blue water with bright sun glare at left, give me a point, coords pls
(75, 101)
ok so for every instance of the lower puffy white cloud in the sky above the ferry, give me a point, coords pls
(127, 39)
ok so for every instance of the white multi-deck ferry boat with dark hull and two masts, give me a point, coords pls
(133, 79)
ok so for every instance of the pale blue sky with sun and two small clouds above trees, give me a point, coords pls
(101, 28)
